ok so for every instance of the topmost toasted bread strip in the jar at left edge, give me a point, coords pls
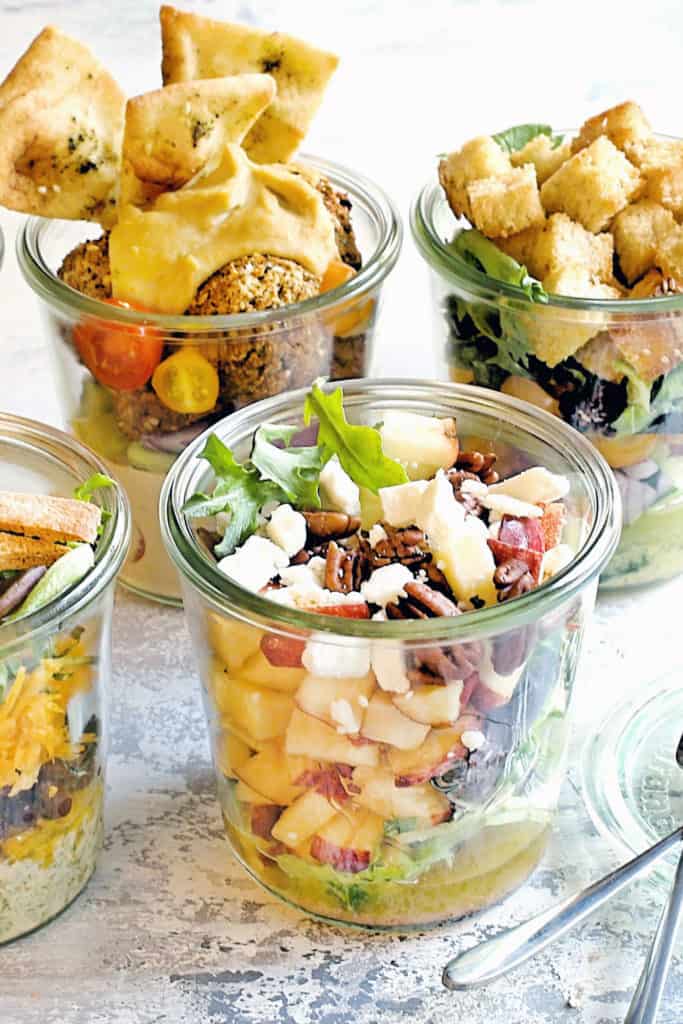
(50, 519)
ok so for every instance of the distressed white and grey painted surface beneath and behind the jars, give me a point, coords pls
(170, 928)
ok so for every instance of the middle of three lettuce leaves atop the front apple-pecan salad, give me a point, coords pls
(295, 471)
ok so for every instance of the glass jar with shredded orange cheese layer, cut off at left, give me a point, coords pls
(65, 530)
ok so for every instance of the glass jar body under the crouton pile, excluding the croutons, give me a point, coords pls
(486, 333)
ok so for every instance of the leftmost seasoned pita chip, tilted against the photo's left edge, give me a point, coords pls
(61, 133)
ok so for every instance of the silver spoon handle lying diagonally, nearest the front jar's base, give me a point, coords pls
(495, 957)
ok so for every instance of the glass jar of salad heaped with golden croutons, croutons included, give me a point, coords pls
(558, 278)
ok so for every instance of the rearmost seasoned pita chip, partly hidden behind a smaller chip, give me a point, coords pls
(199, 48)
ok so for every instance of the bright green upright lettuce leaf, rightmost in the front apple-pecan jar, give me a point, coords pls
(359, 449)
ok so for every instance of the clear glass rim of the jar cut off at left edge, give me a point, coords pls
(112, 547)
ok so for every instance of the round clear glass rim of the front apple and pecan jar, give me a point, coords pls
(599, 547)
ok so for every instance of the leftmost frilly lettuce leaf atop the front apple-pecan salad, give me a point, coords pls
(239, 492)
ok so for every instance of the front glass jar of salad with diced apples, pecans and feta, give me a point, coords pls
(388, 586)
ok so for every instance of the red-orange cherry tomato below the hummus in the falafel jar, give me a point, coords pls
(122, 357)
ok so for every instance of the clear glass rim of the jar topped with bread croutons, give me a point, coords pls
(442, 259)
